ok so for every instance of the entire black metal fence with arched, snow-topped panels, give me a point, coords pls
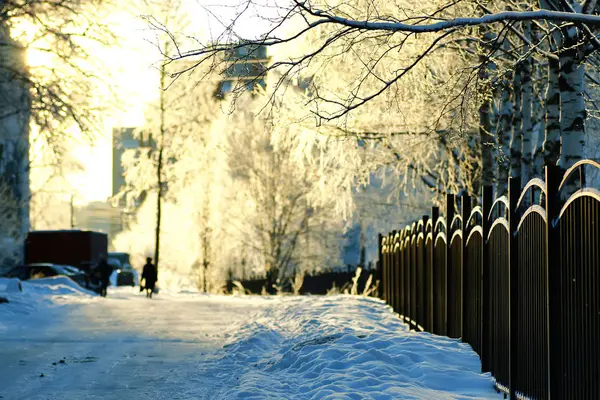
(517, 278)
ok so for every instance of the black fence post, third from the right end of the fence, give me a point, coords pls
(487, 201)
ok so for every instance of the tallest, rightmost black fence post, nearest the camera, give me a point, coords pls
(554, 287)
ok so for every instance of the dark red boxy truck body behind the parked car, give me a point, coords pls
(81, 249)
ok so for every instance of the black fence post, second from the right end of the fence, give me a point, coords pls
(514, 189)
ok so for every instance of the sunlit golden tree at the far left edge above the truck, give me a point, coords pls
(47, 81)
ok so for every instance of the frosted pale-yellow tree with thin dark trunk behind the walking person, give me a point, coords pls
(177, 167)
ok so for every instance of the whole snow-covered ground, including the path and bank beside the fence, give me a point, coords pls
(192, 346)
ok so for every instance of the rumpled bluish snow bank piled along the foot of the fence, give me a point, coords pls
(344, 347)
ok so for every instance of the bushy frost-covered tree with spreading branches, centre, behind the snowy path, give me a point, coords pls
(286, 231)
